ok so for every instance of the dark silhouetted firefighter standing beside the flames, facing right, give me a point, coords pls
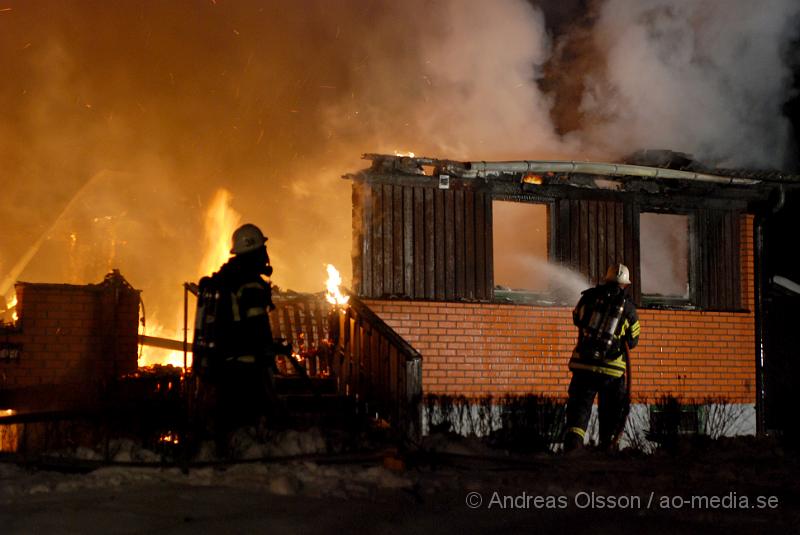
(238, 364)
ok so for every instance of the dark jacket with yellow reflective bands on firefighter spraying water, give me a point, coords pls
(597, 303)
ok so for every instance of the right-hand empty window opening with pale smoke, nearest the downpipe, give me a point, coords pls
(665, 257)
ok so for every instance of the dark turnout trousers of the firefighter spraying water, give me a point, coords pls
(611, 403)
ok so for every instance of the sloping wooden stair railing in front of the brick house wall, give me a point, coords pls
(378, 367)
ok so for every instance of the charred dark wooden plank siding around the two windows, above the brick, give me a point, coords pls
(417, 240)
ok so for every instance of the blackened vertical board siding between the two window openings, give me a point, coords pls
(591, 235)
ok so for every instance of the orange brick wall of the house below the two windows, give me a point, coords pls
(481, 349)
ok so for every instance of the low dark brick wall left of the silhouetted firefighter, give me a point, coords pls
(73, 336)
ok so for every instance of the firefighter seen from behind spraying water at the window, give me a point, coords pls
(608, 328)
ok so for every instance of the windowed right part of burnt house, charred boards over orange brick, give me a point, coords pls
(477, 265)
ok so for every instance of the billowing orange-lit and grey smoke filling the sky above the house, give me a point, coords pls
(167, 102)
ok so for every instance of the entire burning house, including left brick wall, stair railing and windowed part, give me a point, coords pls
(464, 278)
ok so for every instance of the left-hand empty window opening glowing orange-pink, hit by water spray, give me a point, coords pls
(520, 237)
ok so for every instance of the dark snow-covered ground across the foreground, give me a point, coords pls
(453, 485)
